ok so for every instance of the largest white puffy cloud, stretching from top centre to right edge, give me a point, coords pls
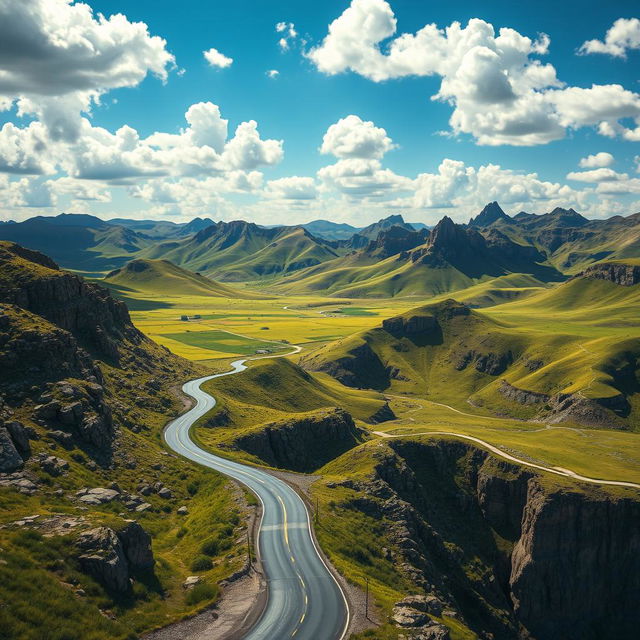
(500, 92)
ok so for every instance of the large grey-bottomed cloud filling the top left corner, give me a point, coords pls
(57, 58)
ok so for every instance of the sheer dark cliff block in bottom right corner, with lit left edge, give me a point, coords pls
(575, 571)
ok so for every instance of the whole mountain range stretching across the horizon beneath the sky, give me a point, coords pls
(388, 258)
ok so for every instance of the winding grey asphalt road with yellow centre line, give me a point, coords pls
(305, 601)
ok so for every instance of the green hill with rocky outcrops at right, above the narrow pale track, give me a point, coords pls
(570, 353)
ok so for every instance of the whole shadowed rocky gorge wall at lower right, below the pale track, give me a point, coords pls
(506, 551)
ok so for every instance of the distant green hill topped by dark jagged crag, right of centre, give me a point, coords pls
(452, 258)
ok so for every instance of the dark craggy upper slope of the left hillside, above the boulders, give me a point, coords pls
(57, 332)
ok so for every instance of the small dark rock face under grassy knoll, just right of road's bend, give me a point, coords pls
(305, 443)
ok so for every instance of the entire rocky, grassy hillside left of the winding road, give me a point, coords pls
(67, 346)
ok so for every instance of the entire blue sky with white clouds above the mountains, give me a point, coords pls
(62, 153)
